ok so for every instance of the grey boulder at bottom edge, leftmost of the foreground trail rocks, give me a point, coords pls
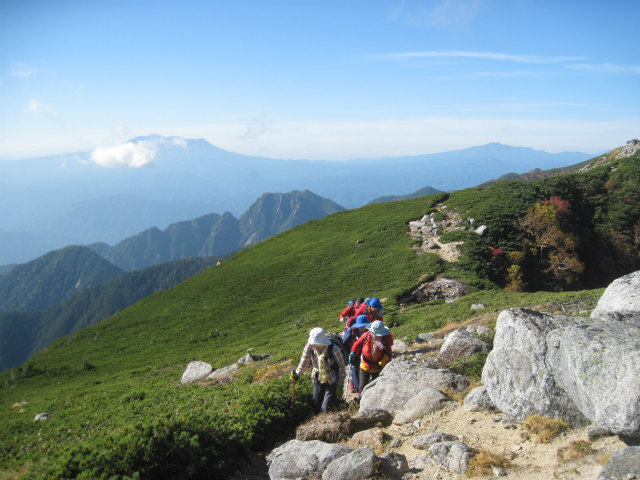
(297, 459)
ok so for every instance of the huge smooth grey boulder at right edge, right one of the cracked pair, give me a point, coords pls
(598, 365)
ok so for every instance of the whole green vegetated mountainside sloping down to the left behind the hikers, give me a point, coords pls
(114, 390)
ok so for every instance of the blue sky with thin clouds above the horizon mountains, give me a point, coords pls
(323, 79)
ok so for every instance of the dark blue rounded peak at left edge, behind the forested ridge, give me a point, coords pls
(48, 280)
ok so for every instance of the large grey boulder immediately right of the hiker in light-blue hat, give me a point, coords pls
(401, 379)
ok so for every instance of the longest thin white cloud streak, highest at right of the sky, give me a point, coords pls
(496, 56)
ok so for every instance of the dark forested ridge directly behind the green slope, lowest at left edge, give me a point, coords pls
(22, 334)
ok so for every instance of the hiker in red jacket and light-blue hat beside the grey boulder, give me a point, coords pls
(374, 349)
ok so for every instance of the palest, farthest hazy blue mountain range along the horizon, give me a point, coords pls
(50, 202)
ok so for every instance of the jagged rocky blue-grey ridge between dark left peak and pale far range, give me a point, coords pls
(213, 234)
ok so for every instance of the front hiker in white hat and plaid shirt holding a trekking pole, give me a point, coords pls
(328, 370)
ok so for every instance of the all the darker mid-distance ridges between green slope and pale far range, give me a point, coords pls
(78, 286)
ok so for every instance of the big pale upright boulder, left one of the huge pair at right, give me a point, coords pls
(516, 374)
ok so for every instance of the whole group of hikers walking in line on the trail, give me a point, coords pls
(365, 342)
